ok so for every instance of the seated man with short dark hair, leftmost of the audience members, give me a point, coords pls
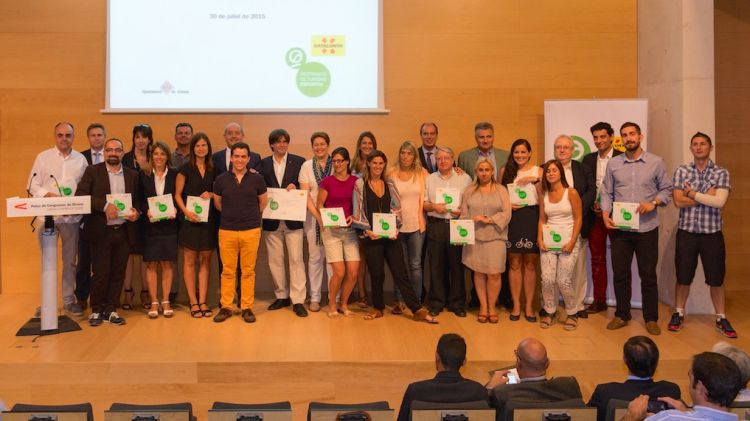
(448, 386)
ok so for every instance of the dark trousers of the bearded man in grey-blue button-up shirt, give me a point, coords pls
(645, 246)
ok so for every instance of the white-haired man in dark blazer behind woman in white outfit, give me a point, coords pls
(579, 177)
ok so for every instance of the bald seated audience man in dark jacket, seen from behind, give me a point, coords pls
(534, 386)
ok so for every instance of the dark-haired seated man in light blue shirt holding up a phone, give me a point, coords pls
(714, 382)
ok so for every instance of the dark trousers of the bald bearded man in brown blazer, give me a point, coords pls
(109, 259)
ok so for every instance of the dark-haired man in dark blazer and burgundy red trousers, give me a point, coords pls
(596, 163)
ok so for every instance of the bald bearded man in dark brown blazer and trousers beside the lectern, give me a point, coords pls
(109, 235)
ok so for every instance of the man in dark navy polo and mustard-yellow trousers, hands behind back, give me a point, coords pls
(240, 196)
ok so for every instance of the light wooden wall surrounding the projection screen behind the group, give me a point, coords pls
(455, 63)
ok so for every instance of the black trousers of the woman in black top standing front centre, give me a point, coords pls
(377, 254)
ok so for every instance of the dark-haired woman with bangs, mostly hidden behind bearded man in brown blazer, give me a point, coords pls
(137, 158)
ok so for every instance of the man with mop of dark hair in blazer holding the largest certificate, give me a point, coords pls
(281, 171)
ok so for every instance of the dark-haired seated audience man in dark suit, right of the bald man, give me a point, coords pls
(641, 356)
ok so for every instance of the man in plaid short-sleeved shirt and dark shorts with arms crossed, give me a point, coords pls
(700, 190)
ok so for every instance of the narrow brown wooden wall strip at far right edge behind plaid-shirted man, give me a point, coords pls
(732, 63)
